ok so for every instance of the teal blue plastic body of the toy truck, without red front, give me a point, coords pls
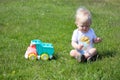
(43, 48)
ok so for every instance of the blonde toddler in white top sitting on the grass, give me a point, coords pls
(83, 37)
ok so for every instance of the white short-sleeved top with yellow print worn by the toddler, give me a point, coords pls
(86, 39)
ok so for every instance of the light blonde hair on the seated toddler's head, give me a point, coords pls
(83, 16)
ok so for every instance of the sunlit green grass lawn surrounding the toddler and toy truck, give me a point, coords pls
(53, 21)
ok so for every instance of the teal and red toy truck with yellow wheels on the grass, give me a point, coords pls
(39, 50)
